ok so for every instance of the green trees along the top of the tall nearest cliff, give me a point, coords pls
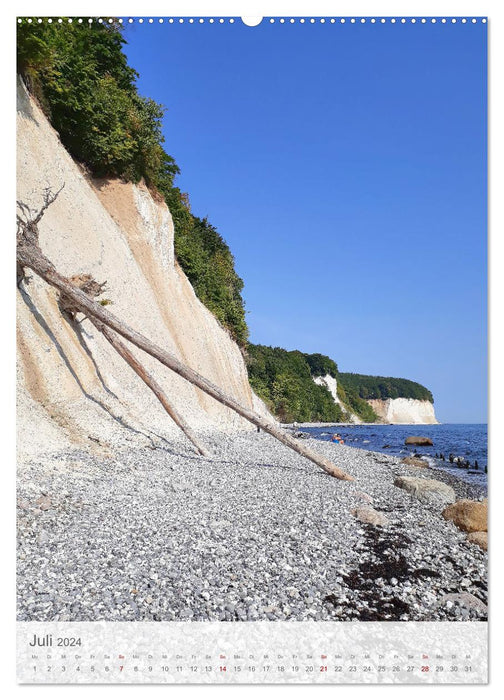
(80, 76)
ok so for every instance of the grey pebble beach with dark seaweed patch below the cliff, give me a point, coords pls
(257, 532)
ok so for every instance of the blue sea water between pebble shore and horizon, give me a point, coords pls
(468, 441)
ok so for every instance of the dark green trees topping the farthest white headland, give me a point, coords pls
(368, 387)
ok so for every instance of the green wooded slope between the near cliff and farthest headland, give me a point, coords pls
(284, 381)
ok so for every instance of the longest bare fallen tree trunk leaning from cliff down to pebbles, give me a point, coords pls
(30, 255)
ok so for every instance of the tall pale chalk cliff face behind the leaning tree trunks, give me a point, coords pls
(73, 389)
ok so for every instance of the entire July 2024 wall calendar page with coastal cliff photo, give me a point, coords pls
(251, 350)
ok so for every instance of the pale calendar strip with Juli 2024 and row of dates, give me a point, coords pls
(261, 652)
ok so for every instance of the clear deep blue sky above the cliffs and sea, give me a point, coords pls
(345, 165)
